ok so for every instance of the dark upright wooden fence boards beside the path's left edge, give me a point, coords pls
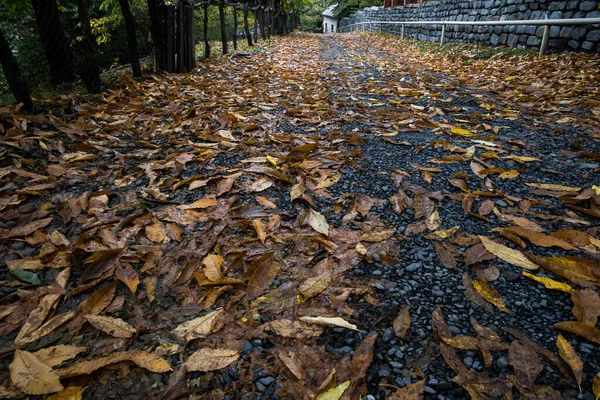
(180, 55)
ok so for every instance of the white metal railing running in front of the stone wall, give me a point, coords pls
(546, 23)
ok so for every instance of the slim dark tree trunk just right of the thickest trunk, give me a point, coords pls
(90, 69)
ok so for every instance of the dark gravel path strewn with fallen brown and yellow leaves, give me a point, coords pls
(329, 176)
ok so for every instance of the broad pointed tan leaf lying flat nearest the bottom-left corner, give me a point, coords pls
(32, 376)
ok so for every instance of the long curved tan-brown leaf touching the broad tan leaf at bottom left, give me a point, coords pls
(143, 359)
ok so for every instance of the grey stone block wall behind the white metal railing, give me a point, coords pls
(582, 38)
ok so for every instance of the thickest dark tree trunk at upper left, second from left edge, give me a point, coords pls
(55, 43)
